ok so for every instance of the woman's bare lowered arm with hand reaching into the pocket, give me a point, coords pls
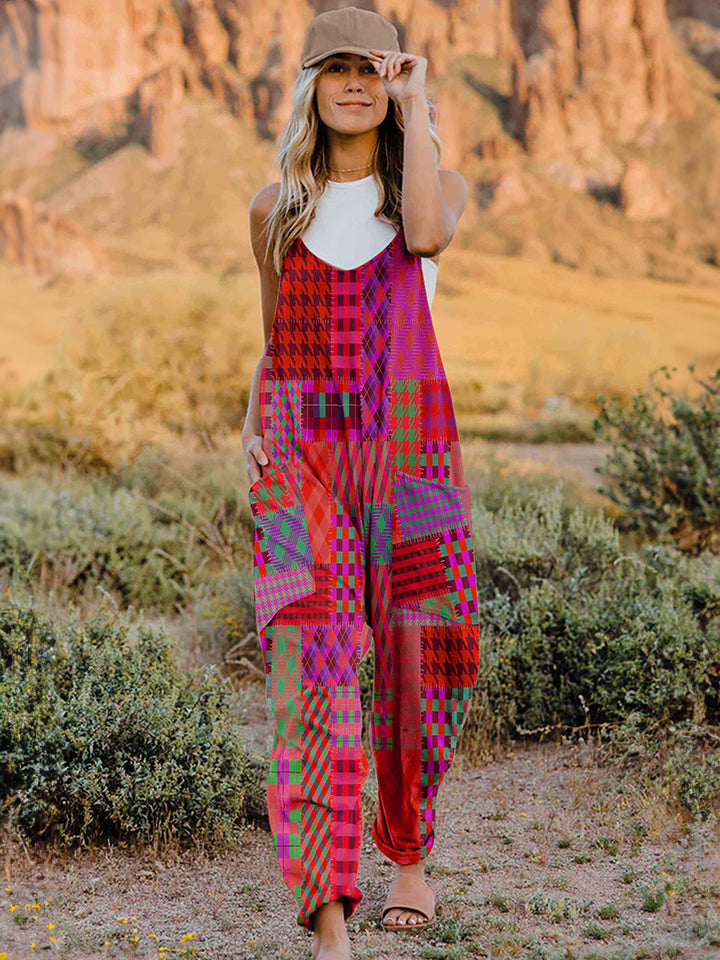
(260, 206)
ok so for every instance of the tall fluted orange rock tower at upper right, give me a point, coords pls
(594, 72)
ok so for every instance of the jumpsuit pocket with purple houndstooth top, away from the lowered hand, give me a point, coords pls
(433, 568)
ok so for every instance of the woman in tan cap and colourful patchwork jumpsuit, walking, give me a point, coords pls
(362, 515)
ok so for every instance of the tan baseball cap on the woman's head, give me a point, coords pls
(347, 30)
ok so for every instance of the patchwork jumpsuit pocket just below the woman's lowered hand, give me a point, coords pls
(283, 570)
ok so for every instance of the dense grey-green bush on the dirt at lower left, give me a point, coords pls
(104, 738)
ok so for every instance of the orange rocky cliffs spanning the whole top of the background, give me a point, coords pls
(585, 76)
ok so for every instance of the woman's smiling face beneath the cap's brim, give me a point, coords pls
(348, 78)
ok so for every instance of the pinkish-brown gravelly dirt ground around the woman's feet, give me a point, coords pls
(542, 853)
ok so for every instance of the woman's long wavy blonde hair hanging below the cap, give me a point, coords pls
(303, 161)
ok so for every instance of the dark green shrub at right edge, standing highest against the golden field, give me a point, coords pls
(665, 470)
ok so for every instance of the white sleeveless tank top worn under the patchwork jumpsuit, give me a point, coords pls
(346, 234)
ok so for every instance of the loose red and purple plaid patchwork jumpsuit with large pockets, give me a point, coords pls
(362, 534)
